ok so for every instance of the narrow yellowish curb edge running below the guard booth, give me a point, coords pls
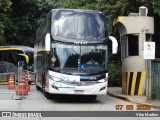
(130, 100)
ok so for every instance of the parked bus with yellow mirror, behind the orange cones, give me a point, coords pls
(13, 53)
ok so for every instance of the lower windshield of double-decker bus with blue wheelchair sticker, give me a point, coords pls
(79, 59)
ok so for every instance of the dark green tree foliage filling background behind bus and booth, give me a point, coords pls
(19, 20)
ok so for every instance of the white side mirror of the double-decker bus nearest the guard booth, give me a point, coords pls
(114, 44)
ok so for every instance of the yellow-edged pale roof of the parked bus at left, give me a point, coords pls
(24, 48)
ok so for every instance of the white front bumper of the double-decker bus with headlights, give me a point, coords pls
(61, 88)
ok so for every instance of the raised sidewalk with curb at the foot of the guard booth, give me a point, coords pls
(117, 92)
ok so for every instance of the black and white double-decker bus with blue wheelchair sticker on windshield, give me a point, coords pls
(71, 53)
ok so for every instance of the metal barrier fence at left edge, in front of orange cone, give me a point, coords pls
(7, 85)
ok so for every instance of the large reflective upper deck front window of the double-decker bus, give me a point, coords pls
(79, 25)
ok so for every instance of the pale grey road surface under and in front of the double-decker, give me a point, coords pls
(35, 100)
